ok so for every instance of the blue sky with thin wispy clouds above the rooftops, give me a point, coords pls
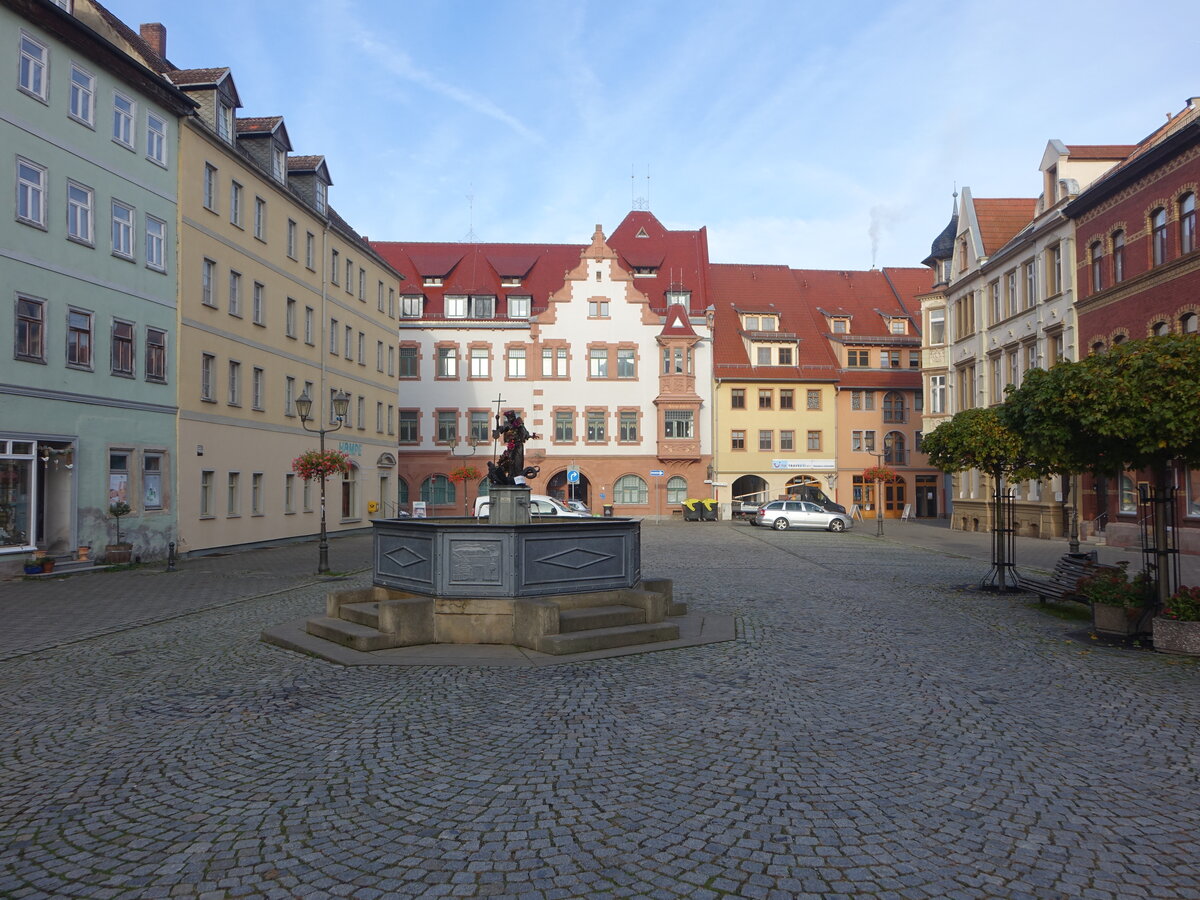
(813, 135)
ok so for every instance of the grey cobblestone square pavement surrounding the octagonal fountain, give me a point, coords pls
(878, 730)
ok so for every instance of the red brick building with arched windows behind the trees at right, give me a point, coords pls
(1139, 274)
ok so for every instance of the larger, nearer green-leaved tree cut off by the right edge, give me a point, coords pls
(1136, 407)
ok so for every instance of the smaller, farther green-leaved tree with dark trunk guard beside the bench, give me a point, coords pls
(981, 440)
